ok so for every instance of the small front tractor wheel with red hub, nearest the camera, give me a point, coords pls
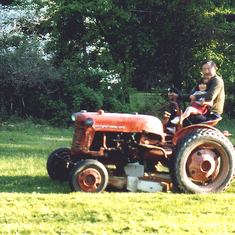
(89, 176)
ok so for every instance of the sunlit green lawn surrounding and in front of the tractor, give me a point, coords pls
(31, 203)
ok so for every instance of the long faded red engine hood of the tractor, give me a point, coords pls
(117, 122)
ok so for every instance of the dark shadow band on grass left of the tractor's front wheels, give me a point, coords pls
(28, 184)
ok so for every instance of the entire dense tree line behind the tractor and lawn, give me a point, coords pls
(61, 56)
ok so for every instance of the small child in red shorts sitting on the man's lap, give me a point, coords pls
(196, 107)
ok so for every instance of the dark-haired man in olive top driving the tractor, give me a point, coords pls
(215, 93)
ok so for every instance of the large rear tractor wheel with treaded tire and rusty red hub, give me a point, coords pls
(203, 162)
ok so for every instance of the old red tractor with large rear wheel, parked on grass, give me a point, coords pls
(137, 152)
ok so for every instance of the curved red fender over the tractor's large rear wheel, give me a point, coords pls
(185, 130)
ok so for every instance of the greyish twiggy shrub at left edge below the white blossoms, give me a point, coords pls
(24, 74)
